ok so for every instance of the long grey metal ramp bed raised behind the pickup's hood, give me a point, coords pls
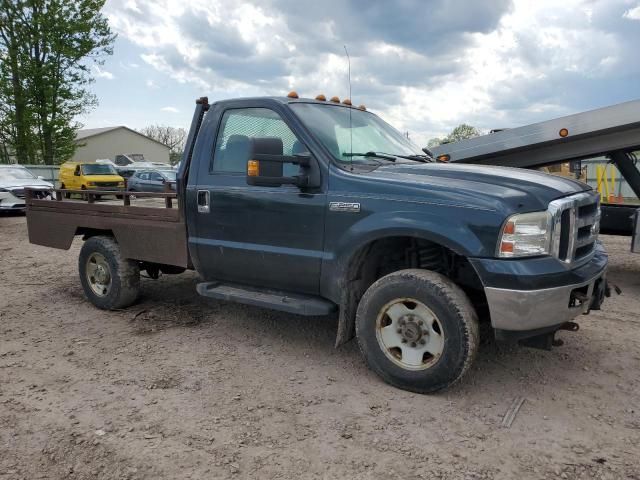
(574, 137)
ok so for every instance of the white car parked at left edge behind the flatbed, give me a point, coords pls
(13, 181)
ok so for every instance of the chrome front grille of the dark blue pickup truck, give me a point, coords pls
(576, 223)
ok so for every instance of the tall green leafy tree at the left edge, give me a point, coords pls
(57, 43)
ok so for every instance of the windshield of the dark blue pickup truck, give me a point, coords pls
(369, 134)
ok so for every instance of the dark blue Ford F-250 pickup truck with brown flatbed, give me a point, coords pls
(314, 207)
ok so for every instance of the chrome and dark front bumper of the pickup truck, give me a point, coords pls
(572, 293)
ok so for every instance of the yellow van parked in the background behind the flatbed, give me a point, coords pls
(90, 176)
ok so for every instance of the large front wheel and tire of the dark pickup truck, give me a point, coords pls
(417, 330)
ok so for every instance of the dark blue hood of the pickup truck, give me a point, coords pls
(482, 186)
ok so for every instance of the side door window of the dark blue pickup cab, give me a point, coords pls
(237, 129)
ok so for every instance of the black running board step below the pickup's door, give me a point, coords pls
(287, 302)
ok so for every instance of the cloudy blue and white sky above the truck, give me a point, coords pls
(423, 65)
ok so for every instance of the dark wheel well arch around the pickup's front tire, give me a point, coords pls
(387, 254)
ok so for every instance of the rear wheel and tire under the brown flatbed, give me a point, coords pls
(109, 281)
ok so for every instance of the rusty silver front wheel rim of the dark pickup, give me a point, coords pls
(410, 334)
